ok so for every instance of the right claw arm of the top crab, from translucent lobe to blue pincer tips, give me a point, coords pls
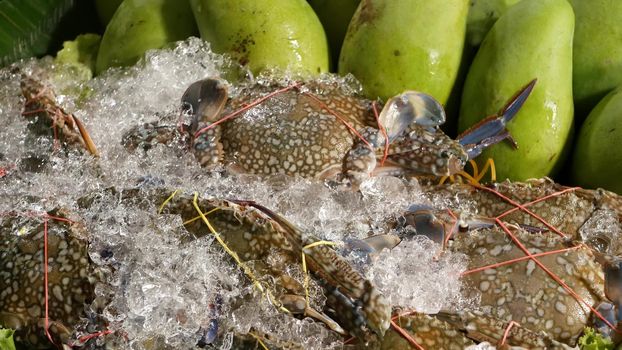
(416, 146)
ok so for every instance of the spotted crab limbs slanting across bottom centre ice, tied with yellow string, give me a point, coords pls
(254, 232)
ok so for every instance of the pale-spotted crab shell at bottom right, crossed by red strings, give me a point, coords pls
(522, 291)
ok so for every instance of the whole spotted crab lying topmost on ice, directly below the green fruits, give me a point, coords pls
(317, 130)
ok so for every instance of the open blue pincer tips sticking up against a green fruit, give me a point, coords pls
(492, 129)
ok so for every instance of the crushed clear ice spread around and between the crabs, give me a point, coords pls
(156, 283)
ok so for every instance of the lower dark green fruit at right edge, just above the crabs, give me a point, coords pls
(597, 159)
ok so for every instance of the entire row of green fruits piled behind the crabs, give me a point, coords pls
(469, 54)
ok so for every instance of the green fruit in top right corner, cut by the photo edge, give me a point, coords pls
(597, 55)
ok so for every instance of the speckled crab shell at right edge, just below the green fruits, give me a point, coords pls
(569, 210)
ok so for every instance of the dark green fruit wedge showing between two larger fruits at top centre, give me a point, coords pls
(335, 16)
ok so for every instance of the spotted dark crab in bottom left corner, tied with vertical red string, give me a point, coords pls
(70, 276)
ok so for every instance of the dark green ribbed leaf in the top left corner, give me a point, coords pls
(27, 27)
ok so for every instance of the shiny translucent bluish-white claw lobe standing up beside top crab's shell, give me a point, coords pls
(407, 108)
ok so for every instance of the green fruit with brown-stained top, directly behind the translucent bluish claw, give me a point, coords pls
(397, 45)
